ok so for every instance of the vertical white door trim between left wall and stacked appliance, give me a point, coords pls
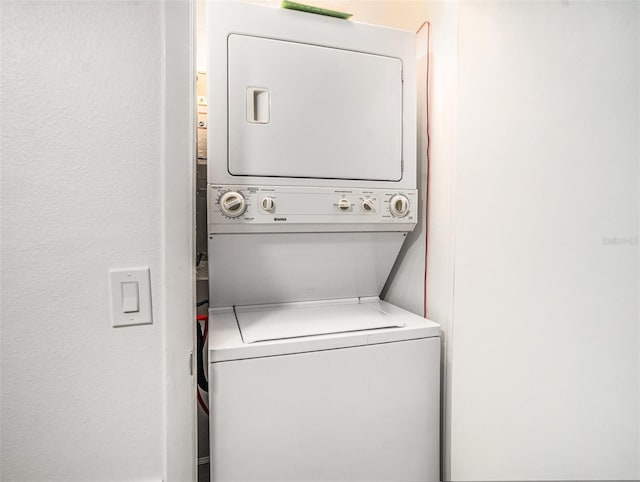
(178, 241)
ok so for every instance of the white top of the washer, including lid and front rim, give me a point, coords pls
(287, 328)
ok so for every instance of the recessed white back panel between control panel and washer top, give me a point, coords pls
(247, 269)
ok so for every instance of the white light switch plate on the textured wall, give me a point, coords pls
(120, 307)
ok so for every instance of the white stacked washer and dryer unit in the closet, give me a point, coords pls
(311, 193)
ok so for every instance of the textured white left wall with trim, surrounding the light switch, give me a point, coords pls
(94, 171)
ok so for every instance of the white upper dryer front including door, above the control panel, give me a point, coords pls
(337, 106)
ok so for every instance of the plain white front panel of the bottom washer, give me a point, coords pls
(297, 418)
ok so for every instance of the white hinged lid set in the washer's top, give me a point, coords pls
(260, 323)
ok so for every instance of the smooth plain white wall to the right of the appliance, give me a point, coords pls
(545, 374)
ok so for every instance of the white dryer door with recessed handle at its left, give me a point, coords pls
(298, 110)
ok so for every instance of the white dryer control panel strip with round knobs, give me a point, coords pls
(270, 208)
